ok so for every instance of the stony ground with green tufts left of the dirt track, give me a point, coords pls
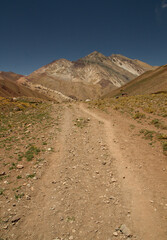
(24, 140)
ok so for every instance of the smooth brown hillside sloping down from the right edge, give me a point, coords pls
(150, 82)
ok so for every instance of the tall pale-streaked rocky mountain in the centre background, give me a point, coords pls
(89, 77)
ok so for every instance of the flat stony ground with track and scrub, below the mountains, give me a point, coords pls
(76, 170)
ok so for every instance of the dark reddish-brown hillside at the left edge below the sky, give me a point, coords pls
(10, 88)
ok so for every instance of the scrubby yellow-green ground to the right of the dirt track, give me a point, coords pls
(150, 110)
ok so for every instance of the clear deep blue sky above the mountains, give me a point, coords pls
(35, 32)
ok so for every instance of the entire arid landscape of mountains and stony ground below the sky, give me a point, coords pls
(83, 150)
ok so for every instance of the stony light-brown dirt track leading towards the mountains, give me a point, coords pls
(91, 188)
